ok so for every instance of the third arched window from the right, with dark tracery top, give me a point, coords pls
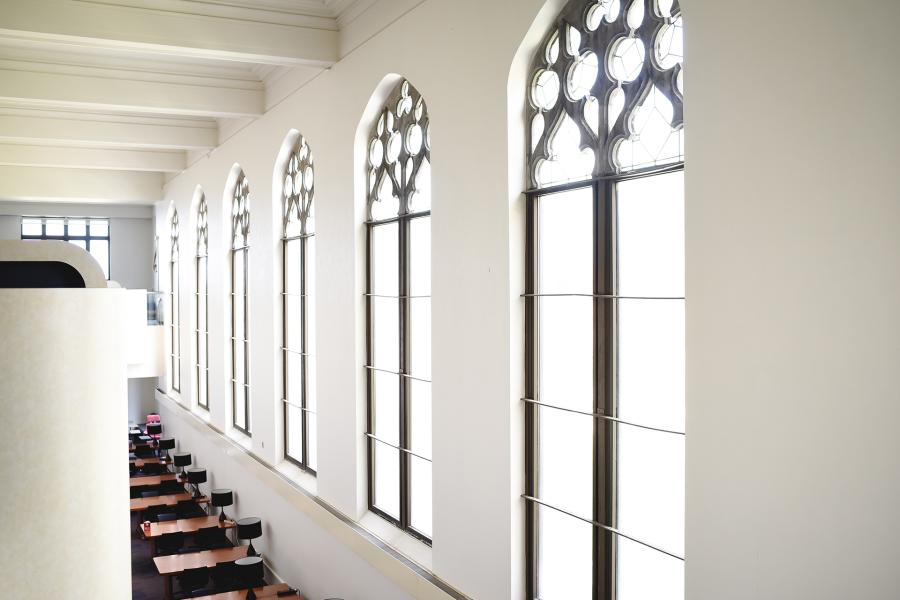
(298, 302)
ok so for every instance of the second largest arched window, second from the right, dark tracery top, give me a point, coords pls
(398, 301)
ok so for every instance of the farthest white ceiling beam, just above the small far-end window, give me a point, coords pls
(31, 184)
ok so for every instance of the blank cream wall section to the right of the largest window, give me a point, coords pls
(793, 276)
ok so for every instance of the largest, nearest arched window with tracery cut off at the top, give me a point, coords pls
(605, 304)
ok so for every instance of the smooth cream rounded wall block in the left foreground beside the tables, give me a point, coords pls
(63, 373)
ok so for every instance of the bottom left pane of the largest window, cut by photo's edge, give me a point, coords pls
(565, 556)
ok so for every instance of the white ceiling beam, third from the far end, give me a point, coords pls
(76, 129)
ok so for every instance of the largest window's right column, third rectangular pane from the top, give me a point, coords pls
(650, 472)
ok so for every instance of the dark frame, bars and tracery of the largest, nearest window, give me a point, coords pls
(602, 182)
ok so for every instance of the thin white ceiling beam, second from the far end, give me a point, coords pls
(92, 158)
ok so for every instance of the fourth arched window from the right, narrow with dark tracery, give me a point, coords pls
(240, 306)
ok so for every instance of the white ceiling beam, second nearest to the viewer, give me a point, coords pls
(117, 90)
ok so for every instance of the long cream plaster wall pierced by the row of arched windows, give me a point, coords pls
(792, 246)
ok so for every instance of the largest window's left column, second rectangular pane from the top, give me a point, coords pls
(566, 350)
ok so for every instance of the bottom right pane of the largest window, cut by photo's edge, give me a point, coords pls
(644, 573)
